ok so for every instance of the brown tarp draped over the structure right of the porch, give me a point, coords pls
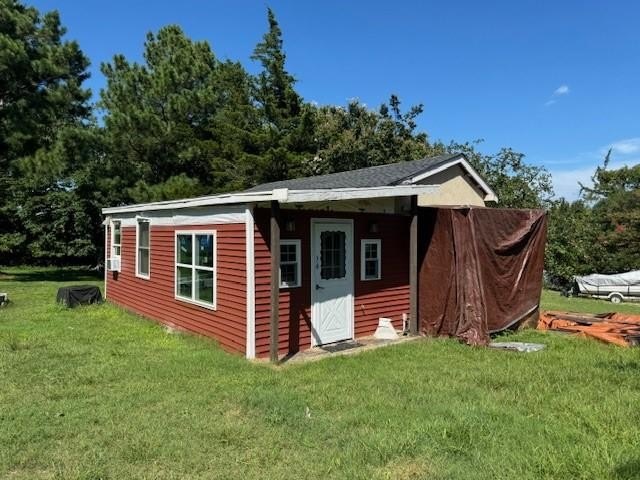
(480, 270)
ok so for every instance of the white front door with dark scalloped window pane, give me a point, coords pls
(331, 280)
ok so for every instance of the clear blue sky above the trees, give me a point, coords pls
(556, 80)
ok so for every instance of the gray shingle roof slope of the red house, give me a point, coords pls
(378, 176)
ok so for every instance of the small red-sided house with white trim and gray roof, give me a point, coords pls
(284, 266)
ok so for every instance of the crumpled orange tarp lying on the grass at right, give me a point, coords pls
(617, 328)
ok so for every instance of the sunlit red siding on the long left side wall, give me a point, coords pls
(155, 298)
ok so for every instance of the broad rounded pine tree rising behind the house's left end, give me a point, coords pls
(178, 125)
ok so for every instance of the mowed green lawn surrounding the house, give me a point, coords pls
(97, 393)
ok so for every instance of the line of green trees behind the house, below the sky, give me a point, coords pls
(184, 122)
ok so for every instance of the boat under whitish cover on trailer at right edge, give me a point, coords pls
(615, 288)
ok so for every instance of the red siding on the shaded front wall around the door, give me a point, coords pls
(387, 297)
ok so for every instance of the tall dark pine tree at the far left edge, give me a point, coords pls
(41, 101)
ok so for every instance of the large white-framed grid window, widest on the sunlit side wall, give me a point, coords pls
(196, 267)
